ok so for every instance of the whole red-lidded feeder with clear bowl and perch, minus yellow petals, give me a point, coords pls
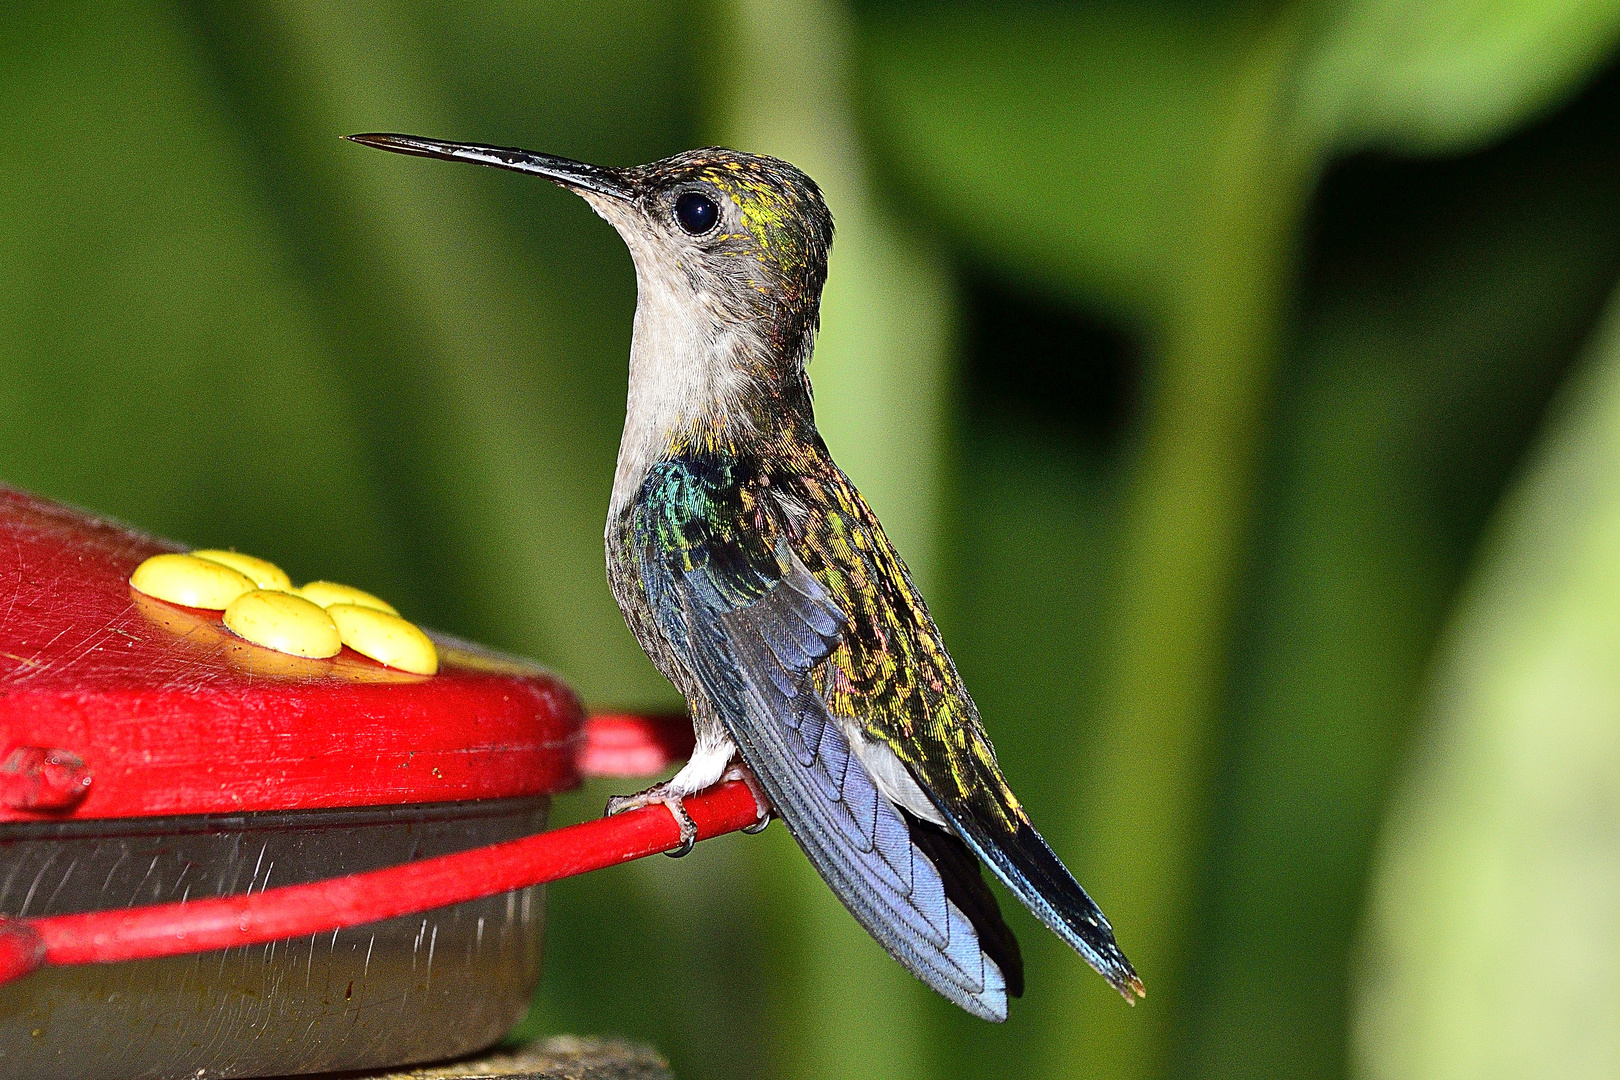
(218, 861)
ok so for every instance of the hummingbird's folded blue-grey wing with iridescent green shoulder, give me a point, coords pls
(752, 624)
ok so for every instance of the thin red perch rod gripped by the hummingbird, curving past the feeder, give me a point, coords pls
(322, 906)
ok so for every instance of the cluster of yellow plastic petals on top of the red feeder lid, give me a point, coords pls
(262, 606)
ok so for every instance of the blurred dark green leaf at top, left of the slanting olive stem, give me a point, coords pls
(1059, 143)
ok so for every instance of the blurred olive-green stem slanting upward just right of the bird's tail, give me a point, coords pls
(1145, 804)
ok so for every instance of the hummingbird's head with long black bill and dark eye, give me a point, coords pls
(730, 249)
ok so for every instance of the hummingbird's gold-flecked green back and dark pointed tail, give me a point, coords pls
(892, 673)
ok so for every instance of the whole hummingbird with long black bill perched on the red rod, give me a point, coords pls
(762, 585)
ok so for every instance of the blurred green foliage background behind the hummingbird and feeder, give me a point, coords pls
(1240, 380)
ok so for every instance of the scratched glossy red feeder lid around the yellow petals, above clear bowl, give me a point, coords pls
(117, 705)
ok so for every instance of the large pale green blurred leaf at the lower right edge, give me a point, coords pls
(1493, 927)
